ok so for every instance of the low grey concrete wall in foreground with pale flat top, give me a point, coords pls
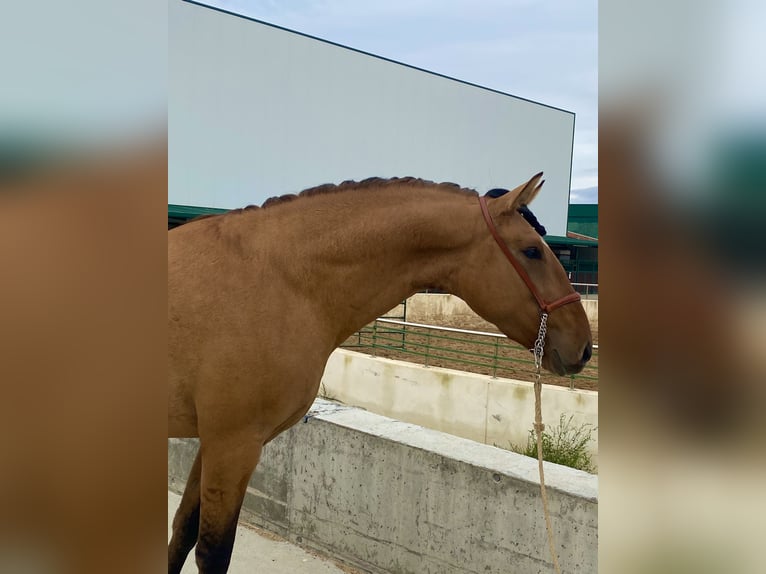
(389, 496)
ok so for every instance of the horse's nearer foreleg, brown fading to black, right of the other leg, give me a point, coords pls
(226, 470)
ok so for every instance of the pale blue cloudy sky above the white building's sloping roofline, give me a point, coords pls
(542, 50)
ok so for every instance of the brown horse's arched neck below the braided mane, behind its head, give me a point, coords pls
(366, 252)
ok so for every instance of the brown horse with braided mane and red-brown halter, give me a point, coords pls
(258, 298)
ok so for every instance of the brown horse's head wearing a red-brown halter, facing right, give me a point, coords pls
(510, 245)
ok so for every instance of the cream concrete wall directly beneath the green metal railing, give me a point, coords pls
(492, 411)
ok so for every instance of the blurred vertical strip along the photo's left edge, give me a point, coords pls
(83, 180)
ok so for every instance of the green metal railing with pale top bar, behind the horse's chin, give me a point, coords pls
(475, 351)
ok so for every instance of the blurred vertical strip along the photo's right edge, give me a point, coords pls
(683, 201)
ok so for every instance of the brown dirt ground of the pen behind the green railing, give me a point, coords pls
(406, 346)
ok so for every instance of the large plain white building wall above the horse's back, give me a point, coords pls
(255, 111)
